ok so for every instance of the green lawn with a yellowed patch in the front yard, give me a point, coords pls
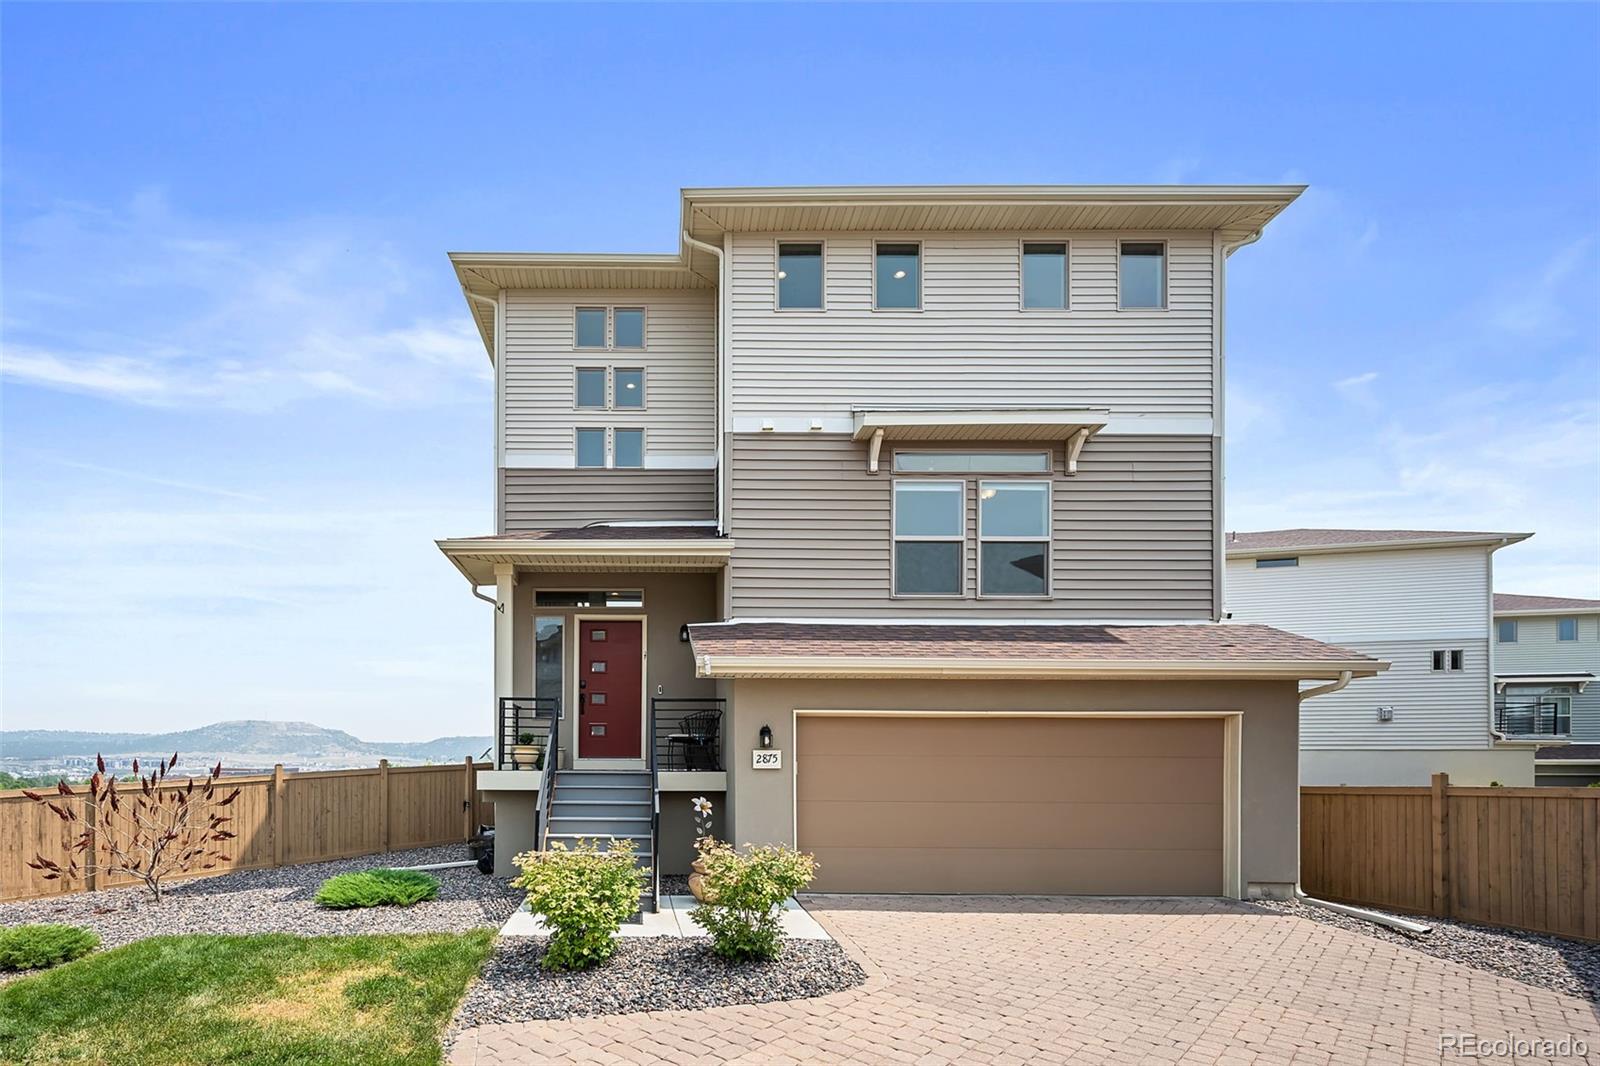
(271, 1000)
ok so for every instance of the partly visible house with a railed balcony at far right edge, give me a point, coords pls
(1546, 665)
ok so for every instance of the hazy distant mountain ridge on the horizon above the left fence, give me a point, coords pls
(249, 742)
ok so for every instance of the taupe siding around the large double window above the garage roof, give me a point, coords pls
(1132, 534)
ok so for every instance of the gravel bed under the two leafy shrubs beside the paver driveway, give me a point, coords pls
(649, 974)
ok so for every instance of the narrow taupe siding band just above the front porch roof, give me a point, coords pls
(551, 500)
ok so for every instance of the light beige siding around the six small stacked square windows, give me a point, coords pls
(679, 363)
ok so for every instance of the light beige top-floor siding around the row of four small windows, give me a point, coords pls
(972, 343)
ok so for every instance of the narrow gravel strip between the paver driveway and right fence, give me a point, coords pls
(1553, 963)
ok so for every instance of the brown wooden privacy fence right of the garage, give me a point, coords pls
(1527, 859)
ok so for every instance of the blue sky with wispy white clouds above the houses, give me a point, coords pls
(242, 395)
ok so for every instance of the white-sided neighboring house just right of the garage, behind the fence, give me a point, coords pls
(1418, 599)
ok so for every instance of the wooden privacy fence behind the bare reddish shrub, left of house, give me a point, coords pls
(281, 819)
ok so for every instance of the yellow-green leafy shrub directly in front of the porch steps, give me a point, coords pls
(583, 896)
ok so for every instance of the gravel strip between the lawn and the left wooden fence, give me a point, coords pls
(279, 902)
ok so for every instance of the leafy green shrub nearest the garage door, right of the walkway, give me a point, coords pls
(748, 894)
